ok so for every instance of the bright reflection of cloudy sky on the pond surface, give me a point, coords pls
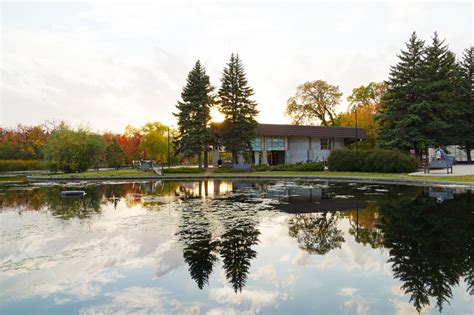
(128, 258)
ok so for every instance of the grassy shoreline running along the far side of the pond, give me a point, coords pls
(104, 174)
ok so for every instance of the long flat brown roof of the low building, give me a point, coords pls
(309, 131)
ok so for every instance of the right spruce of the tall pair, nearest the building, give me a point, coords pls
(239, 110)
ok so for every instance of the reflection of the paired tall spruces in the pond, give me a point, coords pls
(202, 245)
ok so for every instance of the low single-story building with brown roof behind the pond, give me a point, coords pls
(286, 144)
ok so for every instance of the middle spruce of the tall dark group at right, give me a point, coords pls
(440, 104)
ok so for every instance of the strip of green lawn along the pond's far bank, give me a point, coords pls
(211, 173)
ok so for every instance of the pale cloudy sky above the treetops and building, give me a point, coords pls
(106, 65)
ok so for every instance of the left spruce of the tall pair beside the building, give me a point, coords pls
(194, 114)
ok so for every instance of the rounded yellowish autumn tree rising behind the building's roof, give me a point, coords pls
(314, 103)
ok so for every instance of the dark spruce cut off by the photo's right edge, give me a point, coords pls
(464, 120)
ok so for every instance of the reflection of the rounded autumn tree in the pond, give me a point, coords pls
(317, 233)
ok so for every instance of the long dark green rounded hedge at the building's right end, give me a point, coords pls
(374, 160)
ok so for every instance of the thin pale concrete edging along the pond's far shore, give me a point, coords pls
(361, 179)
